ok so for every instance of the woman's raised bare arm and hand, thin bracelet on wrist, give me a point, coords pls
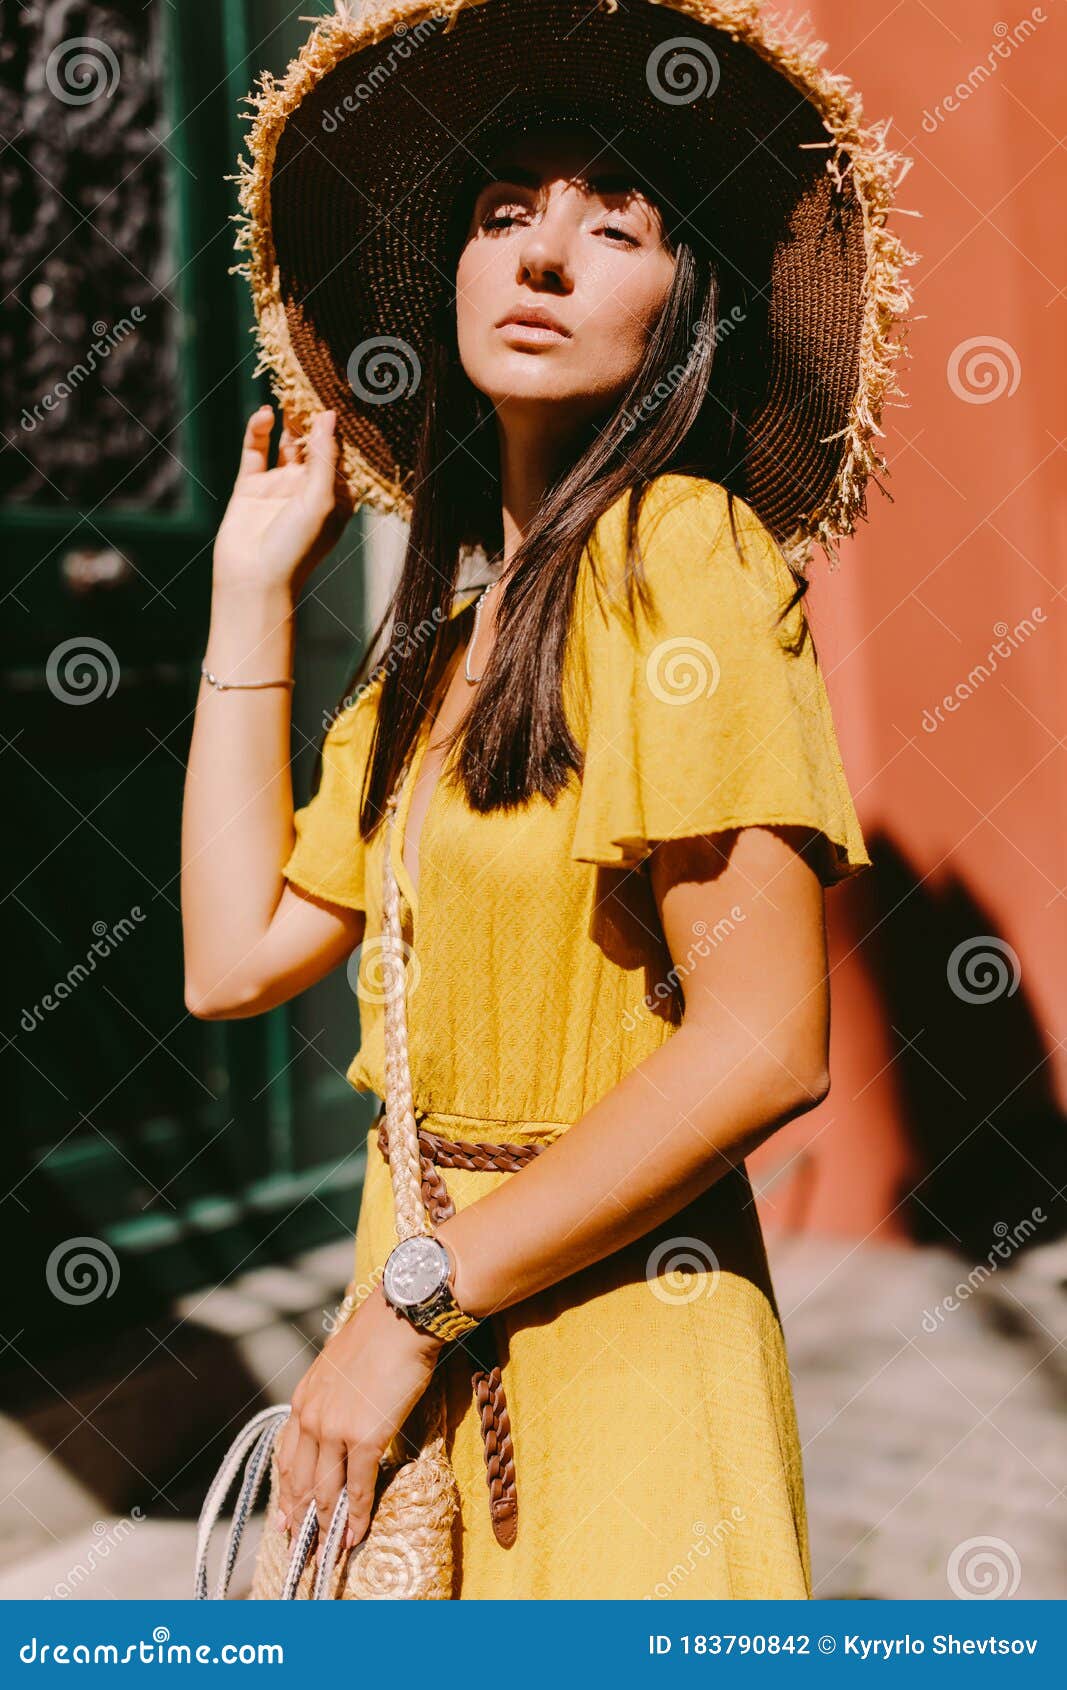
(251, 940)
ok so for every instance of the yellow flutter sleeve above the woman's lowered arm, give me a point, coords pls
(703, 714)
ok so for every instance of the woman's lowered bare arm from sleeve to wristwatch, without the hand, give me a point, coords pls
(750, 1055)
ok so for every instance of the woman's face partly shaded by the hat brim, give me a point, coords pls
(561, 231)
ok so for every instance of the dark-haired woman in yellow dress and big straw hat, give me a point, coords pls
(618, 804)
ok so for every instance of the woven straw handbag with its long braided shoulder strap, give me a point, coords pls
(407, 1552)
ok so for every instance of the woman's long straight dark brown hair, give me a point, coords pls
(515, 739)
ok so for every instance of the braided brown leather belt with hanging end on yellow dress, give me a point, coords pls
(483, 1344)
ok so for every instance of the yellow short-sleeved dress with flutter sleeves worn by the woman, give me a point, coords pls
(654, 1422)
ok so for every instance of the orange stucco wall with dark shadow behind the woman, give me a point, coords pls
(946, 1109)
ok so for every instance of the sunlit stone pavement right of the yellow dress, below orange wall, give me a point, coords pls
(934, 1432)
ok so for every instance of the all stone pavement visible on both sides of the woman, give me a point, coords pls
(936, 1451)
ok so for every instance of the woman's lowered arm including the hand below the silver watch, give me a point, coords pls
(750, 1055)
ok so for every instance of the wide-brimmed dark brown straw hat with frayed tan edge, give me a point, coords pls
(359, 151)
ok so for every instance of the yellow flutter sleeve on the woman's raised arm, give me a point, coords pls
(329, 856)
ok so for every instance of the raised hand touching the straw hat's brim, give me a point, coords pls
(282, 523)
